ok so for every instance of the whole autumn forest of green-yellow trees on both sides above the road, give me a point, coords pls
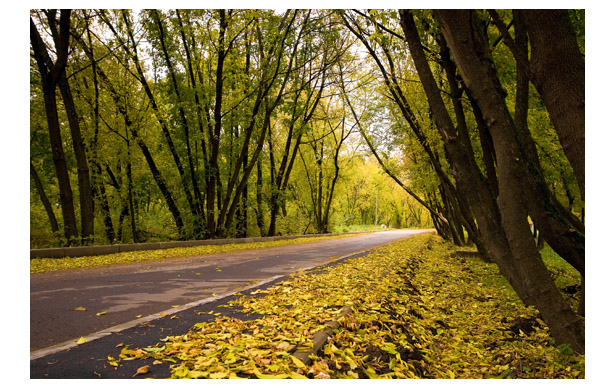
(152, 125)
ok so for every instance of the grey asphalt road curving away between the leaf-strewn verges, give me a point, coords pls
(181, 287)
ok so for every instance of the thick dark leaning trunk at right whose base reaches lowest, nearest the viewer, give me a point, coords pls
(530, 277)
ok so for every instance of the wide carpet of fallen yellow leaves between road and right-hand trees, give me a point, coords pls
(416, 313)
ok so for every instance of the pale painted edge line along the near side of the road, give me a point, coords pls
(40, 353)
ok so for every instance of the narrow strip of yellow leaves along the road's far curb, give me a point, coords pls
(44, 265)
